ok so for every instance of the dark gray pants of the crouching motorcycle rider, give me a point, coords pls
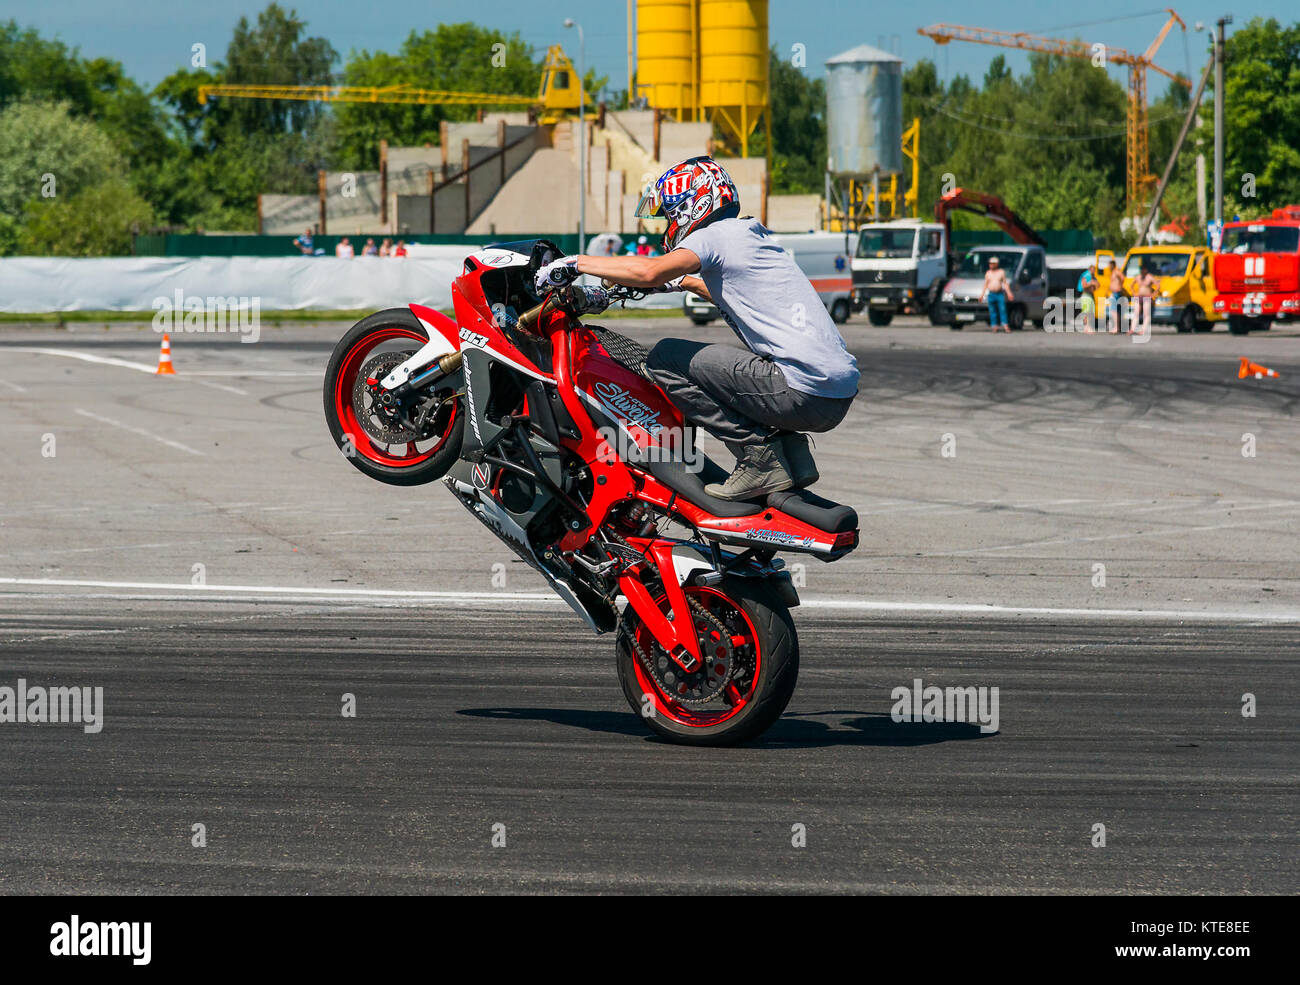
(738, 396)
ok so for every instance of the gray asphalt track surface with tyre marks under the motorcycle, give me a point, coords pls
(488, 705)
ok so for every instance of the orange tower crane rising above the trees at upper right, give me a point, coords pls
(1138, 171)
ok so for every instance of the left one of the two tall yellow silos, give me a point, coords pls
(666, 55)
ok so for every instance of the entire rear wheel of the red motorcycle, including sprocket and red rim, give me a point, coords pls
(752, 663)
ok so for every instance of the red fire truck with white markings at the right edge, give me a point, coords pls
(1258, 271)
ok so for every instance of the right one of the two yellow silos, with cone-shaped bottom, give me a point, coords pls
(734, 86)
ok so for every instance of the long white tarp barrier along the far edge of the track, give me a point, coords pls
(144, 284)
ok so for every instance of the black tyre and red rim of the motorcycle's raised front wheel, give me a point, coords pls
(397, 327)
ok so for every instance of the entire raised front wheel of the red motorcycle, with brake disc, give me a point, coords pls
(404, 442)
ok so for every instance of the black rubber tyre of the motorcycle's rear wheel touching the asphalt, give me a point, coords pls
(768, 619)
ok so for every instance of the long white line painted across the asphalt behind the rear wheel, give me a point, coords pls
(955, 609)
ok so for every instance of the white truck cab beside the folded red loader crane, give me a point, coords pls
(900, 267)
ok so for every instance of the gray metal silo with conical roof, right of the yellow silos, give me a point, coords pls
(864, 114)
